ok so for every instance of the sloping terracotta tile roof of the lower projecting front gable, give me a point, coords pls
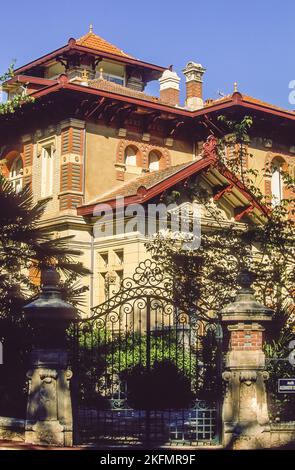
(146, 181)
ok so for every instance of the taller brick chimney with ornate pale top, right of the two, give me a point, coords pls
(194, 85)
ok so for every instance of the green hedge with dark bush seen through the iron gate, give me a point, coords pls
(108, 361)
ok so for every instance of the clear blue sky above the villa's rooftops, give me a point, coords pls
(250, 42)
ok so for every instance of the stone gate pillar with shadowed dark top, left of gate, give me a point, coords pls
(49, 411)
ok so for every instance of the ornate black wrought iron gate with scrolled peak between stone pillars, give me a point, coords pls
(146, 373)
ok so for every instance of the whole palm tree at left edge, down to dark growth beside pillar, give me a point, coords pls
(25, 246)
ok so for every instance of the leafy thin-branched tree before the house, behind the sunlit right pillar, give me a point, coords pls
(206, 279)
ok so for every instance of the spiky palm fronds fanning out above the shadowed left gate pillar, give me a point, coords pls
(23, 245)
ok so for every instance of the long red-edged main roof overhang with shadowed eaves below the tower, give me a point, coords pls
(69, 98)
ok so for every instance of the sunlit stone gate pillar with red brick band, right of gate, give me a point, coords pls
(245, 412)
